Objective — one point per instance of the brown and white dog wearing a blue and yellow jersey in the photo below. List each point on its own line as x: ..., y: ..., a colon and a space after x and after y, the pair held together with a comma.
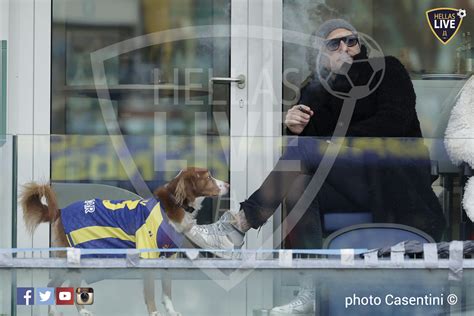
x: 177, y: 198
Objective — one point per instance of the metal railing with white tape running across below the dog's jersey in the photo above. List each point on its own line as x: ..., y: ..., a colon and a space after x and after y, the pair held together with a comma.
x: 249, y: 258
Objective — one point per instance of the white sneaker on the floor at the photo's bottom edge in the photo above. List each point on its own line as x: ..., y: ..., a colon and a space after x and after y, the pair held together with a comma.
x: 303, y: 304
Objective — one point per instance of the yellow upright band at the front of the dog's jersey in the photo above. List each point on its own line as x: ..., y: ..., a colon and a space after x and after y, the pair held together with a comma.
x: 144, y: 238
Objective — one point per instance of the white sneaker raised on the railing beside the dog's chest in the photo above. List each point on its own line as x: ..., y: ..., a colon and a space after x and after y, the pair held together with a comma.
x: 221, y: 235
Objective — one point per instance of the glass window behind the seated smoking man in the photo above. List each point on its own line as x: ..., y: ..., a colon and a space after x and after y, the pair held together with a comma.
x: 401, y: 29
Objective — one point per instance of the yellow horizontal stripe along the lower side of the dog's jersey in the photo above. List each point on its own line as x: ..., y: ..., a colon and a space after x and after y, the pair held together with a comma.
x: 89, y: 233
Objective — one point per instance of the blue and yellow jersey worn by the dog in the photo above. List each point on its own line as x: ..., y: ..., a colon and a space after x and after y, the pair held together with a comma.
x: 119, y: 224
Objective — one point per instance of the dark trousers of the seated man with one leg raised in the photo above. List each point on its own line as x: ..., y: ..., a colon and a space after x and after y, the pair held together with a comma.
x: 345, y: 185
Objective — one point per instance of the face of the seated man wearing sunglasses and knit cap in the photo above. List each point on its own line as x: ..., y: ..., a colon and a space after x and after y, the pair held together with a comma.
x: 343, y: 54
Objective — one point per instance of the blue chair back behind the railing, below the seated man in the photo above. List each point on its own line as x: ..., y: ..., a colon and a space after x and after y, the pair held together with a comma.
x: 370, y: 236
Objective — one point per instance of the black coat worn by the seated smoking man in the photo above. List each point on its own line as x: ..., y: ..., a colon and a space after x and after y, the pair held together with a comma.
x: 400, y: 193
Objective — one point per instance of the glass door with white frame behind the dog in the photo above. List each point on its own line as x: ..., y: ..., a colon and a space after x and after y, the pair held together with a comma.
x: 166, y: 78
